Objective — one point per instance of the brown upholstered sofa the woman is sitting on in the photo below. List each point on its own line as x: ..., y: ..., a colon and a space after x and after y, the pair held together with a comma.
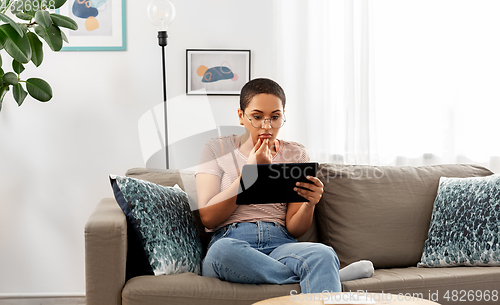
x: 378, y: 213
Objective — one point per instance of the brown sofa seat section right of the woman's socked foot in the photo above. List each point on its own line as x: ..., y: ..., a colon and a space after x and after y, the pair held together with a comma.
x: 442, y: 285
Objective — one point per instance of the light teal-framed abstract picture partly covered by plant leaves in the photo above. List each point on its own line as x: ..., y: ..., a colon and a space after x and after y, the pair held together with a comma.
x: 101, y: 25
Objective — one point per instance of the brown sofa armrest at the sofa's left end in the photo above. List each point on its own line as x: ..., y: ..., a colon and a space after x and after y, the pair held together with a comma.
x: 105, y: 254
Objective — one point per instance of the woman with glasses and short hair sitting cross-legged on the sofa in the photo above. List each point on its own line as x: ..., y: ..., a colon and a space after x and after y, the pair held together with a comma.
x: 256, y: 243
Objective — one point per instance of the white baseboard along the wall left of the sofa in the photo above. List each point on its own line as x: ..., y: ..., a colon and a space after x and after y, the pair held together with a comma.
x: 42, y: 299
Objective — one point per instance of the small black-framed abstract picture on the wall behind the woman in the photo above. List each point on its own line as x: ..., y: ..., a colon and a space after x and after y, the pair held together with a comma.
x: 219, y: 72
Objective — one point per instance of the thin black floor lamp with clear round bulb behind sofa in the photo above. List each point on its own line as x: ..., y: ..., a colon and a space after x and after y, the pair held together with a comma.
x: 161, y: 13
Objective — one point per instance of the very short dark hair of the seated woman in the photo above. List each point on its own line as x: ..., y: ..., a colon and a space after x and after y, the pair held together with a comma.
x: 258, y: 86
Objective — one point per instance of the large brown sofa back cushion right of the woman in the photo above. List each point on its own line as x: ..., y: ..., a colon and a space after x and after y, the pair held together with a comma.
x: 381, y: 213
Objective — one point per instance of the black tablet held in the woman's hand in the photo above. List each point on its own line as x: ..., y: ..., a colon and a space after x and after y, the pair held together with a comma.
x: 273, y: 183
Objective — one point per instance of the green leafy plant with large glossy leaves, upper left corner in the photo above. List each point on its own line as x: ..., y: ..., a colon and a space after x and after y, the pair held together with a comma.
x: 22, y: 41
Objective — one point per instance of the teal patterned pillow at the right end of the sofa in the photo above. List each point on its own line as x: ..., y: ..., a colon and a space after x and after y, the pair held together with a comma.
x: 465, y: 224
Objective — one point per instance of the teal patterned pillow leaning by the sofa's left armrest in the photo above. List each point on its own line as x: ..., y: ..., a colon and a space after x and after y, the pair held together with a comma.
x: 164, y: 222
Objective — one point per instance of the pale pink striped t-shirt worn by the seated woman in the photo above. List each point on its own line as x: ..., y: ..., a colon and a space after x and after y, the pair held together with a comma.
x: 222, y: 157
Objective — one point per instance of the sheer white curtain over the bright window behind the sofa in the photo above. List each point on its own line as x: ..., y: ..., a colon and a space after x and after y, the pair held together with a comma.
x: 392, y: 82
